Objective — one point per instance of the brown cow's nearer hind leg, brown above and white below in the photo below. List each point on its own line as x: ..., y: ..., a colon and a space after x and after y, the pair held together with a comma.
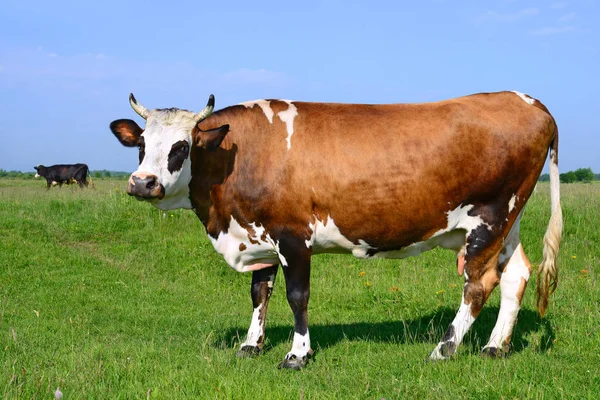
x: 481, y: 277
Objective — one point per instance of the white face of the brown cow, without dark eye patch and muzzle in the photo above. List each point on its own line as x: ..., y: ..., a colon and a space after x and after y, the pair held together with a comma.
x: 164, y: 128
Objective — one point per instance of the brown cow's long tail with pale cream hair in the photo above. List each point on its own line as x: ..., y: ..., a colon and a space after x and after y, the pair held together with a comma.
x: 548, y: 271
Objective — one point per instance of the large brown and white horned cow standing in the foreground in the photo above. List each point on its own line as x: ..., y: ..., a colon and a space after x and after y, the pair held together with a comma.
x: 276, y: 181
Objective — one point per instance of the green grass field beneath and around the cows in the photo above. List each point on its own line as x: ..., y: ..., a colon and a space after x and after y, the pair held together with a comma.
x: 106, y: 297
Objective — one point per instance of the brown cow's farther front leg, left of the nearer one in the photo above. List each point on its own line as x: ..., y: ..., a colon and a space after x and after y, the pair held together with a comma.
x: 262, y: 287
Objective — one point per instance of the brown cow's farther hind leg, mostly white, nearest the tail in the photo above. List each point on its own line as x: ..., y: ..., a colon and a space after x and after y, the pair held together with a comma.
x: 515, y: 269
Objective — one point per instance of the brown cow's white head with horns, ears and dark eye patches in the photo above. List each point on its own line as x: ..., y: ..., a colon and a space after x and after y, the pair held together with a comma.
x: 165, y: 171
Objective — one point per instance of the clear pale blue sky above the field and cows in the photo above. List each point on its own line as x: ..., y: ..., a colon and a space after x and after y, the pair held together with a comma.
x: 67, y: 67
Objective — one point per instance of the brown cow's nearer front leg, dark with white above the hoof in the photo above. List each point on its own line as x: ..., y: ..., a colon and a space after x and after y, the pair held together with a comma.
x: 297, y: 284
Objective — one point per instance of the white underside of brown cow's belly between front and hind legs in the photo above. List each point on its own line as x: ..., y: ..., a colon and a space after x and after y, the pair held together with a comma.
x: 327, y: 238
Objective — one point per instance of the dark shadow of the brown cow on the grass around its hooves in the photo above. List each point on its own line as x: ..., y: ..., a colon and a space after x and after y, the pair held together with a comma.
x: 530, y: 331
